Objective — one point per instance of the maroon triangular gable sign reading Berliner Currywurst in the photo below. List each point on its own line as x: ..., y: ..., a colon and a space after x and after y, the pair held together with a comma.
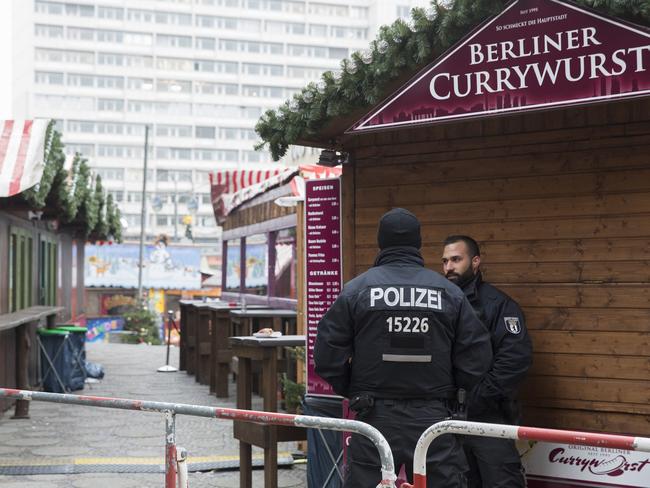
x: 535, y: 54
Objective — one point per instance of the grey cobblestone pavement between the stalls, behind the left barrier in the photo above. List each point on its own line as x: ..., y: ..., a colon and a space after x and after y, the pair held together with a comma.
x: 57, y: 431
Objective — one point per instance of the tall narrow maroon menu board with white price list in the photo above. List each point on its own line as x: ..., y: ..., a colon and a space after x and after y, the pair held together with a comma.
x: 322, y: 264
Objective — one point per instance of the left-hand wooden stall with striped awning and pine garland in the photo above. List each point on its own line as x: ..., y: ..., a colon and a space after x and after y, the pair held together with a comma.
x: 44, y: 223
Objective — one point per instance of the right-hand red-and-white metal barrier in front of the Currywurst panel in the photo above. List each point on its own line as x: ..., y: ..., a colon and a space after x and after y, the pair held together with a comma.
x: 514, y: 432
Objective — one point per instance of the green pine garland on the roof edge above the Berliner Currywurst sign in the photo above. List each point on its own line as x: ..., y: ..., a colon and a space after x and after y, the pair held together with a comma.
x: 400, y: 48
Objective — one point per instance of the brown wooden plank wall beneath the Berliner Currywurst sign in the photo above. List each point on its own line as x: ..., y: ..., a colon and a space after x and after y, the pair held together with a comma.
x: 560, y: 202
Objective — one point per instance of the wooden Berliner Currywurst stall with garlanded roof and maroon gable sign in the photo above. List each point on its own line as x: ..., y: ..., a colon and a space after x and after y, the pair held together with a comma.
x: 557, y: 196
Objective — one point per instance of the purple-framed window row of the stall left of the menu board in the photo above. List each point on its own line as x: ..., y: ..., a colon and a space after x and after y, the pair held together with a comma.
x: 262, y: 265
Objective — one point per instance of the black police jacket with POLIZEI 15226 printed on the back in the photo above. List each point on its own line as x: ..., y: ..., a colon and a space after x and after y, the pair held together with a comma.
x: 401, y: 331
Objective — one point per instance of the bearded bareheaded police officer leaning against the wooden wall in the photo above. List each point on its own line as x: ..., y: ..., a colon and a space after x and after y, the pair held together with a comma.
x: 494, y: 463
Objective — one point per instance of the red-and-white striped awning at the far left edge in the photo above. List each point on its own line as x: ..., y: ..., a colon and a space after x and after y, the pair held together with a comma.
x: 22, y: 154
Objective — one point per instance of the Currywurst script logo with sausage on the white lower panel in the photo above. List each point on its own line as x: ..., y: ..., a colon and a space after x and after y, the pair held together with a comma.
x: 612, y: 464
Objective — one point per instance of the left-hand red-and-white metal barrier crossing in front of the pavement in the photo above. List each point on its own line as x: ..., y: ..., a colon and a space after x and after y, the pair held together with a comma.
x: 175, y: 458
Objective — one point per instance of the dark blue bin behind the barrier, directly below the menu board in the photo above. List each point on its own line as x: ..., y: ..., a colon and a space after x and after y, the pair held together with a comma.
x: 325, y: 447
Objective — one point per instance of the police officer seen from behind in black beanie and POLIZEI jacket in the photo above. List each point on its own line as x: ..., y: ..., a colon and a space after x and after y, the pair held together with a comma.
x: 398, y: 342
